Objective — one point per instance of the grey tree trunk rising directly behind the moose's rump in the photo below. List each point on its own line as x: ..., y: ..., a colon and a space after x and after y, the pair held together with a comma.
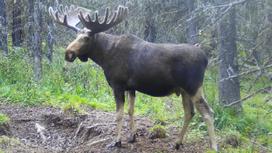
x: 191, y: 29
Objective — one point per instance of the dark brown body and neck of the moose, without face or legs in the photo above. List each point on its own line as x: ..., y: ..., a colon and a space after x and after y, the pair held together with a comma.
x: 130, y: 63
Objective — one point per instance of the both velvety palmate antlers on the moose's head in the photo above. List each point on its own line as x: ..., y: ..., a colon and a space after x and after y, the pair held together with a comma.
x: 72, y: 16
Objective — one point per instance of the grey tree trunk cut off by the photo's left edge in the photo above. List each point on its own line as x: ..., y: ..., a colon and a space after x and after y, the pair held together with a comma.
x: 3, y: 28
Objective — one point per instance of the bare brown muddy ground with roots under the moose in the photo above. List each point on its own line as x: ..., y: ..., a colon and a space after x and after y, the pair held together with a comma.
x: 49, y: 130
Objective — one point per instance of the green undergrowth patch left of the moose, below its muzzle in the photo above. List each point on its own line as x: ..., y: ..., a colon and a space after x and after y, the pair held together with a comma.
x: 57, y: 87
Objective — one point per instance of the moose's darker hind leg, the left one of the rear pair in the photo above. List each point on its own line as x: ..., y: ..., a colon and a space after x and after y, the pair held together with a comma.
x: 188, y: 115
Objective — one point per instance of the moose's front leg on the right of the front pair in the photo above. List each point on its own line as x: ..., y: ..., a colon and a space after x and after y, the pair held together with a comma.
x: 132, y: 128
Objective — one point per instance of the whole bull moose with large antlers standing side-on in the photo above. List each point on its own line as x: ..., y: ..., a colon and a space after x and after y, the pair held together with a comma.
x: 131, y: 64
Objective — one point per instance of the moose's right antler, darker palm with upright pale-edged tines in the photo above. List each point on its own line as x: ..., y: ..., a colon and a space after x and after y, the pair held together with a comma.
x: 95, y: 26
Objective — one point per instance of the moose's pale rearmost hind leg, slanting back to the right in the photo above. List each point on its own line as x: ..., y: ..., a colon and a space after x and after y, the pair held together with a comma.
x: 207, y: 115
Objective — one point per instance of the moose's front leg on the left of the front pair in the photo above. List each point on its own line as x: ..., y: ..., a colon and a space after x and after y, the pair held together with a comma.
x: 119, y: 99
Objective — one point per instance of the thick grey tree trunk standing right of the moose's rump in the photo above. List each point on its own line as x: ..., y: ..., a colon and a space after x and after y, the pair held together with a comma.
x: 229, y: 89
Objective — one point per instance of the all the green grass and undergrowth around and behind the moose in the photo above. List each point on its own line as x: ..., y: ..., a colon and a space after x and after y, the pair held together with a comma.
x: 80, y: 85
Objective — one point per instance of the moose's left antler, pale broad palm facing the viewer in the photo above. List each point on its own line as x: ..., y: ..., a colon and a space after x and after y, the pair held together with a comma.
x: 68, y: 16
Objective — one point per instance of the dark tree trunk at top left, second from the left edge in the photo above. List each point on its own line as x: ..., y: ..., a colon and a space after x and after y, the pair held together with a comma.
x: 17, y: 30
